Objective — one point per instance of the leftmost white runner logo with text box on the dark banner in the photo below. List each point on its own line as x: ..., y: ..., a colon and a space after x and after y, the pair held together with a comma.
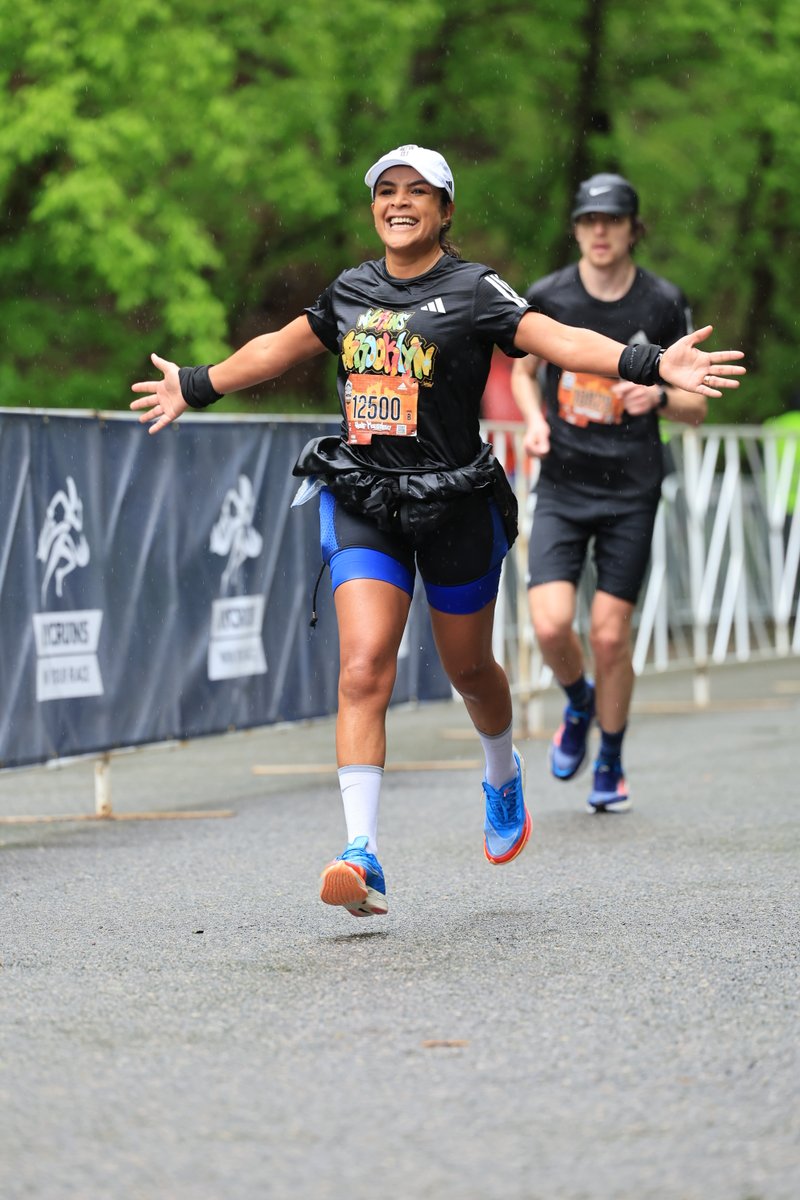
x: 67, y: 643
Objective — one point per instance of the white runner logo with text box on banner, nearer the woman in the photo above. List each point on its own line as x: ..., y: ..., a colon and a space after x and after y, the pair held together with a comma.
x: 236, y: 647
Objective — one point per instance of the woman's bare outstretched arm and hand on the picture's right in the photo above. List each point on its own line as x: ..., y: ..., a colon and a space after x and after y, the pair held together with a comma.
x: 581, y: 350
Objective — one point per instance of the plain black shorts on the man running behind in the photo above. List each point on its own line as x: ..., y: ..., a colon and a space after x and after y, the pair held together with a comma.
x: 560, y: 542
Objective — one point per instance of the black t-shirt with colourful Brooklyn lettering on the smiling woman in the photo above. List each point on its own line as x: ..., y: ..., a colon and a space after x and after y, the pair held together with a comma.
x: 430, y: 338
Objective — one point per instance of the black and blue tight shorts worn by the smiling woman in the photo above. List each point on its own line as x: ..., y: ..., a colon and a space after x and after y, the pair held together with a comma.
x: 460, y: 563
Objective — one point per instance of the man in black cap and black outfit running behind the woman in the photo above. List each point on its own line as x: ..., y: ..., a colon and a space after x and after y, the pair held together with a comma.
x: 601, y: 472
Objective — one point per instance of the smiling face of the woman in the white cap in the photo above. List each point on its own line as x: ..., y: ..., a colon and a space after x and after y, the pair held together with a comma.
x: 408, y: 212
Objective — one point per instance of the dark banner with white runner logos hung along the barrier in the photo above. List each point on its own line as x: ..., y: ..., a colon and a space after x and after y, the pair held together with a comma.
x: 161, y: 587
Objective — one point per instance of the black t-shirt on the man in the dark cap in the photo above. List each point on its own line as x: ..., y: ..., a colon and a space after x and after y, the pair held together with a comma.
x: 597, y: 449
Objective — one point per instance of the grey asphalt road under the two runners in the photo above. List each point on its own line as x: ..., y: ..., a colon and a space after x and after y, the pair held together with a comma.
x: 613, y: 1017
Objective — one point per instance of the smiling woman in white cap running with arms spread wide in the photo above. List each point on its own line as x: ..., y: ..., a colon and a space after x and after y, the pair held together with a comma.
x: 408, y: 485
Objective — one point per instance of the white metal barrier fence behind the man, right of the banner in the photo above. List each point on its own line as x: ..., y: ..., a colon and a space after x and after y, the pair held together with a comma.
x: 724, y: 578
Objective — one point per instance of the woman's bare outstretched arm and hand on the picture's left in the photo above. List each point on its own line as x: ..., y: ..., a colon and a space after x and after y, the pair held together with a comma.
x: 263, y: 358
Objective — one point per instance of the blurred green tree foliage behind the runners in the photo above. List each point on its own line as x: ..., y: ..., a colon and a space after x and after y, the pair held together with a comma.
x: 178, y: 177
